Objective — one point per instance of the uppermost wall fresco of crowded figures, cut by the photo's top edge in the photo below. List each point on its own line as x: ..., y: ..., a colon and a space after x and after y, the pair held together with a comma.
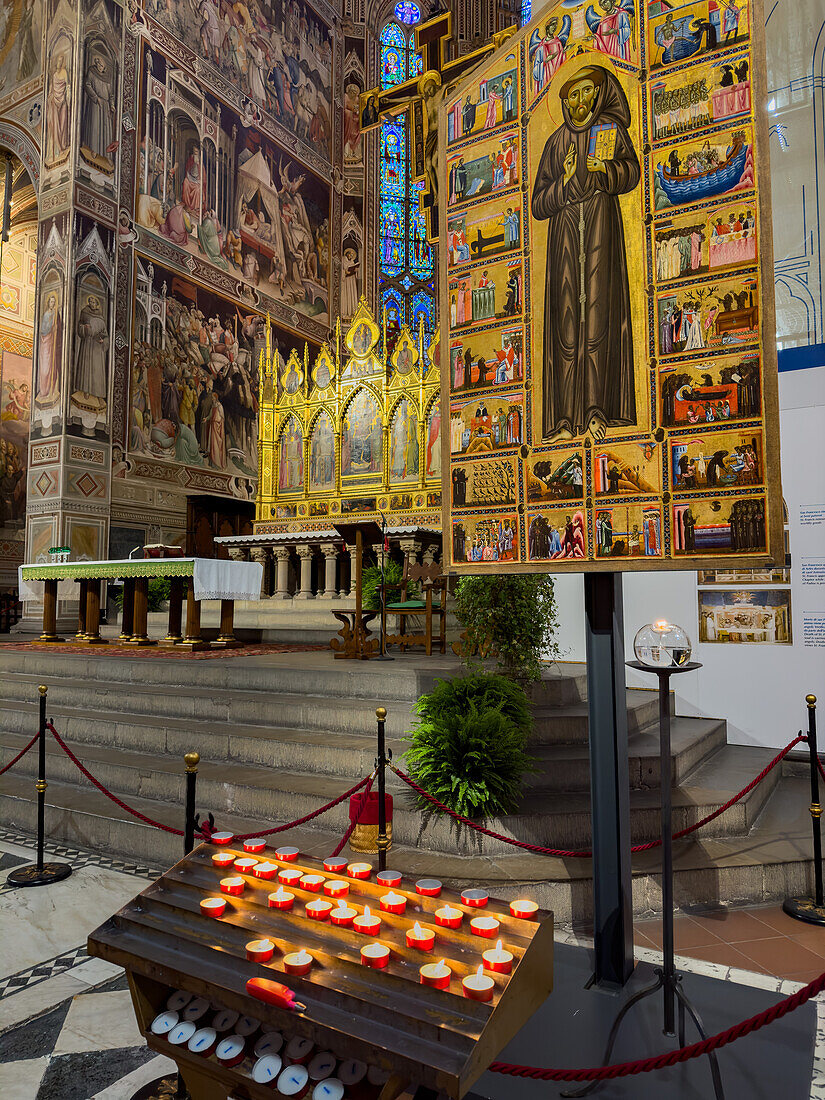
x: 278, y: 52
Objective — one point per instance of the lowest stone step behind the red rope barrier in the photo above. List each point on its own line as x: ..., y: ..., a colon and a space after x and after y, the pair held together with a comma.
x: 774, y: 863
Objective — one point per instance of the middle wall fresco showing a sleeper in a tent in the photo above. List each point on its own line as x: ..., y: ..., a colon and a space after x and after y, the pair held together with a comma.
x: 229, y: 195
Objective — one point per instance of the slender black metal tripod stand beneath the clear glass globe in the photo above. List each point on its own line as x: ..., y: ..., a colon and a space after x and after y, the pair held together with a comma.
x: 668, y: 980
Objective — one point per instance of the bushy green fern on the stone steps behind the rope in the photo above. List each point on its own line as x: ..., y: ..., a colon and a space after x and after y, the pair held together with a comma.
x: 469, y: 746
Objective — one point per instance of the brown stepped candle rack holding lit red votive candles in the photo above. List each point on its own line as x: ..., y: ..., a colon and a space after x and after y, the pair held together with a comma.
x: 422, y: 1037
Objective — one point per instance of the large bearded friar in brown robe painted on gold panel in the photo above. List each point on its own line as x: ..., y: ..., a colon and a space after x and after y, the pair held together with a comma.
x: 589, y: 355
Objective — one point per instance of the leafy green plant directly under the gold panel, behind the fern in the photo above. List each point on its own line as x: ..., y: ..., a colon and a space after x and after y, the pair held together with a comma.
x: 512, y: 617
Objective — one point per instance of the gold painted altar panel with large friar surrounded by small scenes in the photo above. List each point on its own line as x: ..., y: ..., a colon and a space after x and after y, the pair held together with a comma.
x: 607, y: 292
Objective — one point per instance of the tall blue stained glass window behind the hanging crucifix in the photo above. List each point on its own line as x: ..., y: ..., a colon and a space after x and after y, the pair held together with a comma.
x: 405, y: 256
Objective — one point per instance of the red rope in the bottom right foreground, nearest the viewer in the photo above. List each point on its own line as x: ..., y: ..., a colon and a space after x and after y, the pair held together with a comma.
x: 673, y: 1058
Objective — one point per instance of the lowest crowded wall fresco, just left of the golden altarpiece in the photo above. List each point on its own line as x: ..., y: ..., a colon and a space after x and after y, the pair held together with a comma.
x: 194, y: 394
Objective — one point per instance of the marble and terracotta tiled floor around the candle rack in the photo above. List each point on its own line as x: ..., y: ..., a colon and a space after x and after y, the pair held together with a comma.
x: 68, y: 1031
